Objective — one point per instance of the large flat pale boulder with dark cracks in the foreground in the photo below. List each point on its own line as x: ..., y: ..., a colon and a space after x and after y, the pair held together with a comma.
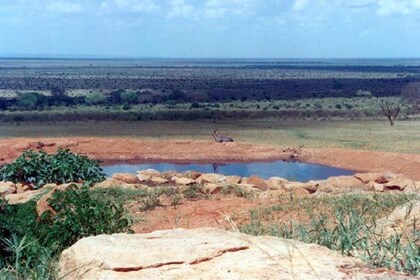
x: 208, y: 253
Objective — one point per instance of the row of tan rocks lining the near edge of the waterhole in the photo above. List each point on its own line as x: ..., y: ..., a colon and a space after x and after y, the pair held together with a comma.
x: 210, y: 183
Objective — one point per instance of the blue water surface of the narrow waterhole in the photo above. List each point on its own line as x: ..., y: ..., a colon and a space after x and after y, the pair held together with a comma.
x: 298, y: 171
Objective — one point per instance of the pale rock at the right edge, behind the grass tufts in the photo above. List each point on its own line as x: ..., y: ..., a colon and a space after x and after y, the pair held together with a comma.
x: 401, y: 220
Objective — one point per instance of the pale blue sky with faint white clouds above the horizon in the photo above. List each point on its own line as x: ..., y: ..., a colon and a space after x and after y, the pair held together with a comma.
x: 211, y: 28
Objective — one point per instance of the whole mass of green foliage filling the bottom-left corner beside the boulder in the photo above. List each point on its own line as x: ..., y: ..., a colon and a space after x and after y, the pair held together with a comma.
x: 30, y: 245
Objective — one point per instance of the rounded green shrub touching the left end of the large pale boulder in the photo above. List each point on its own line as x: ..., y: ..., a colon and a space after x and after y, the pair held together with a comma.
x: 78, y: 215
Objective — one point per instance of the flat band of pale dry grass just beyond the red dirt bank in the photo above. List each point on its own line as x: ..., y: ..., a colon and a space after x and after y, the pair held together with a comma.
x: 370, y: 135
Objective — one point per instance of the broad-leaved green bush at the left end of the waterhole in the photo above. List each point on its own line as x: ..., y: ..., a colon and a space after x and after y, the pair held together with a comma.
x: 39, y: 168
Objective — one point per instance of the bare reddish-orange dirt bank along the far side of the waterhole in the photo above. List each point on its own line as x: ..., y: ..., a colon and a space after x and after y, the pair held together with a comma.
x: 116, y: 149
